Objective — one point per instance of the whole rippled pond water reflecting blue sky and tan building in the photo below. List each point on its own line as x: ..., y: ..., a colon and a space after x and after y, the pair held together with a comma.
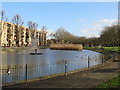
x: 50, y: 62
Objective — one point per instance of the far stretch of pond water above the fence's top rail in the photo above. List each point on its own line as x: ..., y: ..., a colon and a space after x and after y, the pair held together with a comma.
x: 48, y: 57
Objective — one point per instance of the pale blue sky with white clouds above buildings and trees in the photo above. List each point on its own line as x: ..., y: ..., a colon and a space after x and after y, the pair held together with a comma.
x: 79, y: 18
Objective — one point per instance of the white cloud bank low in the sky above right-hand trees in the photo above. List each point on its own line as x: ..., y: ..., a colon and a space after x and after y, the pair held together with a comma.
x: 96, y: 27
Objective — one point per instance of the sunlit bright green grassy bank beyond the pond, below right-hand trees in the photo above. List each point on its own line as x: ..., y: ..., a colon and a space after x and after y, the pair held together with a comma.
x: 104, y: 49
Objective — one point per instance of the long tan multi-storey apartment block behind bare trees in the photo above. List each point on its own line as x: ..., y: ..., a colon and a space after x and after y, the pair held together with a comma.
x: 15, y: 35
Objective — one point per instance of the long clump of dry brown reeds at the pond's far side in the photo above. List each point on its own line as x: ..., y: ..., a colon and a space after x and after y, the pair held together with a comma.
x: 78, y: 47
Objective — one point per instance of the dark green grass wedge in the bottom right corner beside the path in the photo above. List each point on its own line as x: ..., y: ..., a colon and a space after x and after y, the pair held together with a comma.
x: 114, y: 83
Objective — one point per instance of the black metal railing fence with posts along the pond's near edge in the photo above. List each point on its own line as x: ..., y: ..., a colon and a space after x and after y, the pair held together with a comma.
x: 15, y: 74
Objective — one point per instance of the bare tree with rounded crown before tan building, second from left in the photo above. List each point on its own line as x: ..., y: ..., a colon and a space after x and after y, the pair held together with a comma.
x: 17, y: 21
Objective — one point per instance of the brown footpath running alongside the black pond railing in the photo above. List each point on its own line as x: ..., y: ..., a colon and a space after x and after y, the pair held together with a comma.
x: 82, y: 79
